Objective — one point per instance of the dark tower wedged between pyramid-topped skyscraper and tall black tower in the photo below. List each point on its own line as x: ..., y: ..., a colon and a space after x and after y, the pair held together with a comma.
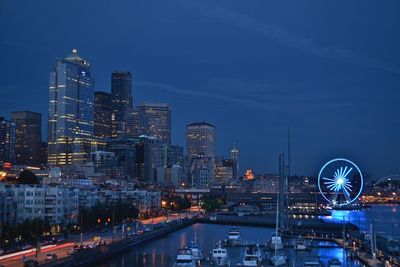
x: 102, y: 114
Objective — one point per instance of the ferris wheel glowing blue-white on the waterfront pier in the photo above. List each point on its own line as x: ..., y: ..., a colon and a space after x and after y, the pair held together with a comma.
x: 340, y: 182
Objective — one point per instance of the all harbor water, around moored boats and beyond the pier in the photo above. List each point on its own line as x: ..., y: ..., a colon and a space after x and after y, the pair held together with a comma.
x: 162, y: 252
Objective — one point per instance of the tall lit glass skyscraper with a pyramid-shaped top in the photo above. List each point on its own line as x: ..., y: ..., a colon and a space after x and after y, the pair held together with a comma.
x: 71, y: 110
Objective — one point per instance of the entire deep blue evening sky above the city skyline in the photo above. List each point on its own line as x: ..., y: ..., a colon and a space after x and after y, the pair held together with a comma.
x: 329, y: 70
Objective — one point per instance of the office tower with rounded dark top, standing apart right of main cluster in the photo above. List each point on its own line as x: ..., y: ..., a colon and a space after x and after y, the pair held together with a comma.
x: 200, y: 139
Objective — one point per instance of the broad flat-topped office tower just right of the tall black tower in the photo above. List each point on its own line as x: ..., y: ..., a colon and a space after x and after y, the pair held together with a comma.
x: 153, y: 120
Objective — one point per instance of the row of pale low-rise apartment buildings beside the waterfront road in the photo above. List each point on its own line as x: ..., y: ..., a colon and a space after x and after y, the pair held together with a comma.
x: 60, y: 204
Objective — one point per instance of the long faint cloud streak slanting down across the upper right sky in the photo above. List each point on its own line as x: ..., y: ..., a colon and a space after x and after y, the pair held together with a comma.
x: 289, y: 39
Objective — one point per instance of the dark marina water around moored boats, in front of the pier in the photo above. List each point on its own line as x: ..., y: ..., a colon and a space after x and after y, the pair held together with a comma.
x: 162, y: 252
